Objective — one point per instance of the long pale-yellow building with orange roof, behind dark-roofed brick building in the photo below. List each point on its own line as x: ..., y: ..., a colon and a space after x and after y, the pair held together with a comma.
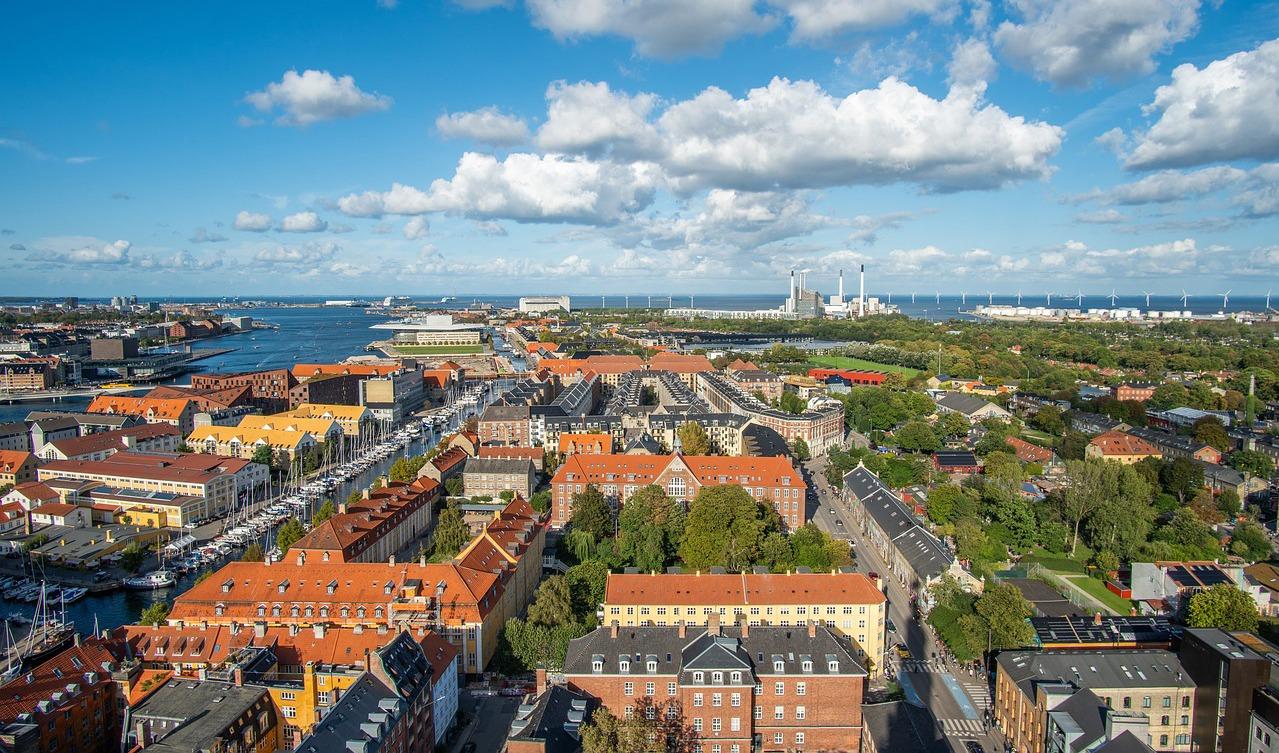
x: 846, y: 603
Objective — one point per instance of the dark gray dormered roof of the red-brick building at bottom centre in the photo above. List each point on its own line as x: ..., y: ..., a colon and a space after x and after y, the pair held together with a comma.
x: 758, y: 653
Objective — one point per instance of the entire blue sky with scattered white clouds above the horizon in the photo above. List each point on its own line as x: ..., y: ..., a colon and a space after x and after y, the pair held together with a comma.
x: 639, y: 146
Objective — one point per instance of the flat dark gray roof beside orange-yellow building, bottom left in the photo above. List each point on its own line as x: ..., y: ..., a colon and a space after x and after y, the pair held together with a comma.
x: 195, y: 713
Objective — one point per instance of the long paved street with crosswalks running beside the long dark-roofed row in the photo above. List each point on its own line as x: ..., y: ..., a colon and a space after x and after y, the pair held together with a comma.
x: 956, y: 699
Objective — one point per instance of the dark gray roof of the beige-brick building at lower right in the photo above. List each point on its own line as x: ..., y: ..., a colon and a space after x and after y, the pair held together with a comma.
x: 1113, y: 668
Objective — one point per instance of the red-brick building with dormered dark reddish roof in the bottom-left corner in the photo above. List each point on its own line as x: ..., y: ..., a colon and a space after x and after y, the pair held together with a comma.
x: 71, y: 701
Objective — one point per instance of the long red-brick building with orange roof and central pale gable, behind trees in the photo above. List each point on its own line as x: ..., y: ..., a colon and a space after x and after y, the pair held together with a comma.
x: 682, y: 477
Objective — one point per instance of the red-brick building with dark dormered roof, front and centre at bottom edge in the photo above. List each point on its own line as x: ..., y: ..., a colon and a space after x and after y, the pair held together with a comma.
x: 741, y: 690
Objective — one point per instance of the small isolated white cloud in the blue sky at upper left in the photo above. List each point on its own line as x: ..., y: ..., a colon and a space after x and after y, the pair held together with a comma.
x: 315, y: 97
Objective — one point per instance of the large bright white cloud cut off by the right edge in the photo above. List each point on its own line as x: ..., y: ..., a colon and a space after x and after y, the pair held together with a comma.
x: 1227, y: 111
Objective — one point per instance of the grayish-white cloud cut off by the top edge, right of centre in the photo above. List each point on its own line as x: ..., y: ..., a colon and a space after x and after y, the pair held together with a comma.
x: 1074, y: 43
